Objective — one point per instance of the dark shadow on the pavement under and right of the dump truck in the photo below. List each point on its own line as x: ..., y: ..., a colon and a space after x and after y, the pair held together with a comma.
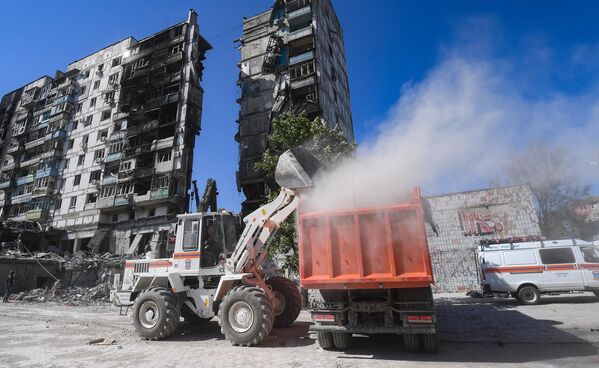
x: 479, y: 330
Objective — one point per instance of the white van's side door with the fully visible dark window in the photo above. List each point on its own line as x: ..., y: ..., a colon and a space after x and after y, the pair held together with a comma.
x: 561, y: 273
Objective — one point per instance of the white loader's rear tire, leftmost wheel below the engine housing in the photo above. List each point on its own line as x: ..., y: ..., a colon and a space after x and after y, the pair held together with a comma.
x: 156, y: 313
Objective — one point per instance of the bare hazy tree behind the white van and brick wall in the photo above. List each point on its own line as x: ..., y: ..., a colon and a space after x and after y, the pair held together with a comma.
x: 554, y: 184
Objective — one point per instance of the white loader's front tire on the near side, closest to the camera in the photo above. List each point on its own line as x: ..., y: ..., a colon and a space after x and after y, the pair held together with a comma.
x: 245, y: 316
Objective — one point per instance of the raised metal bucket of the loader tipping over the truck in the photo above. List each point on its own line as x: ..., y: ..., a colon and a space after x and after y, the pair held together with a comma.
x: 296, y: 169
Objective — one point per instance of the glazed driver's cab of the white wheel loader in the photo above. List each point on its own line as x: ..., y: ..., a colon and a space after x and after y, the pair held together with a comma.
x: 207, y: 239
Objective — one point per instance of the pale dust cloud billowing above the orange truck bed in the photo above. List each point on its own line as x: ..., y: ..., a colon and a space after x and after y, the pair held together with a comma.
x: 454, y: 131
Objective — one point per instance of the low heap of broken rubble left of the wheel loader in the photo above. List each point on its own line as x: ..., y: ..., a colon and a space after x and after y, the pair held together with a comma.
x: 69, y: 296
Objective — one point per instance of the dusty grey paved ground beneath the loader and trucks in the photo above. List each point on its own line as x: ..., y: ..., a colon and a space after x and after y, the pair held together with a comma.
x: 562, y: 332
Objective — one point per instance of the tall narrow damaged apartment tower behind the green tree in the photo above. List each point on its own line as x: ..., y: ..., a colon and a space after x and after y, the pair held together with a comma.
x: 292, y: 60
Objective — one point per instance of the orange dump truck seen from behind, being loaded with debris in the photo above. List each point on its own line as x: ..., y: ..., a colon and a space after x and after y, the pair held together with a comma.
x: 368, y: 271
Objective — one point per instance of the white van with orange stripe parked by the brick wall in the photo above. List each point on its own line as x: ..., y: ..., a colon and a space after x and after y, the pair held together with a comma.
x: 528, y: 269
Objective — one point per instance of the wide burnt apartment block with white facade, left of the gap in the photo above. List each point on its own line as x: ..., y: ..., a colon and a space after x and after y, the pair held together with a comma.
x: 104, y: 150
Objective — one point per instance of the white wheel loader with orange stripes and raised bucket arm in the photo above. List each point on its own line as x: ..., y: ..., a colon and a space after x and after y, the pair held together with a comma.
x: 213, y: 271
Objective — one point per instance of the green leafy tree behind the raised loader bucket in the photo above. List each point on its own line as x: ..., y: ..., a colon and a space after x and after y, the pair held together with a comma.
x: 329, y: 145
